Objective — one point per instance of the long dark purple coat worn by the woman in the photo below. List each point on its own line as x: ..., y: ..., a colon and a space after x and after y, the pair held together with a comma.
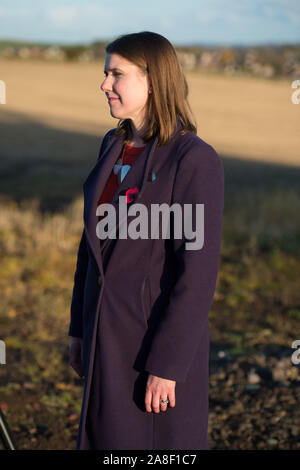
x: 141, y: 306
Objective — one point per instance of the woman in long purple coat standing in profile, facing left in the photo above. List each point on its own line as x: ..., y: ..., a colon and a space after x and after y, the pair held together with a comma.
x: 139, y: 311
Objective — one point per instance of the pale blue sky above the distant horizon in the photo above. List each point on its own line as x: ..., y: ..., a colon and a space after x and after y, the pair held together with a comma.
x: 208, y: 22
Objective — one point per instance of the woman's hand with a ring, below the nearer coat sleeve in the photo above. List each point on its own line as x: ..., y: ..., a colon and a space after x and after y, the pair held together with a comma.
x: 158, y: 388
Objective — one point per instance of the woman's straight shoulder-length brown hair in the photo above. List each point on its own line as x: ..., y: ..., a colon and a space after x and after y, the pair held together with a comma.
x: 155, y: 55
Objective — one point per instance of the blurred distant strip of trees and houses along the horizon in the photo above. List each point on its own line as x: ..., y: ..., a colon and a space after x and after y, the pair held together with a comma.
x: 264, y: 61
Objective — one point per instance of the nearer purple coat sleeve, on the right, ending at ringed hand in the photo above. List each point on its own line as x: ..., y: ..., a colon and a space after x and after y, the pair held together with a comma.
x: 199, y: 180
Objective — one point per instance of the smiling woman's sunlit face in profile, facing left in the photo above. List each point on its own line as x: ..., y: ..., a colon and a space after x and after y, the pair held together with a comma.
x: 125, y: 82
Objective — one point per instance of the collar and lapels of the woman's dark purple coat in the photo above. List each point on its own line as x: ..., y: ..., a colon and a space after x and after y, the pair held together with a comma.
x: 96, y: 180
